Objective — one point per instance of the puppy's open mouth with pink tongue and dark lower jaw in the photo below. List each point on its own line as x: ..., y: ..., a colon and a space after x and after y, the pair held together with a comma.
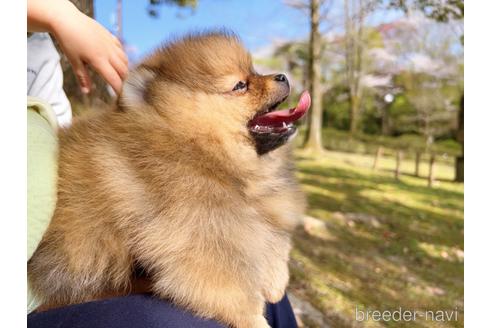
x: 271, y: 128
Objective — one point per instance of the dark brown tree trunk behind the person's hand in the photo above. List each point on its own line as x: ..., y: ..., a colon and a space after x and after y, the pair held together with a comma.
x: 99, y: 91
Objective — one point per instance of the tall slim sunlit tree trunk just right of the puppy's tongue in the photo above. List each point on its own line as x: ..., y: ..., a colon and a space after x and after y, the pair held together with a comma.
x: 313, y: 140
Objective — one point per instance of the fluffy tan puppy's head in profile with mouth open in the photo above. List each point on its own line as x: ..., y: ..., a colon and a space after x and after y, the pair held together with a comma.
x: 206, y: 84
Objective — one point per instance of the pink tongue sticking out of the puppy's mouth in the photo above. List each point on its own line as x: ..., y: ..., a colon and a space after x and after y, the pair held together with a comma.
x: 286, y: 116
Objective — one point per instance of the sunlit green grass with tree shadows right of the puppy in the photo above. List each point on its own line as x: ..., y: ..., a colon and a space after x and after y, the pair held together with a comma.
x: 407, y: 252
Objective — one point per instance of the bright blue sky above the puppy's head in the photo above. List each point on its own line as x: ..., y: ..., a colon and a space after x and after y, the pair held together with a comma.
x: 259, y: 23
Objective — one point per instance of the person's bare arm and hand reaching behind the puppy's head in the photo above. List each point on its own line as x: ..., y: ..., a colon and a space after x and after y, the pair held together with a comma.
x: 82, y: 39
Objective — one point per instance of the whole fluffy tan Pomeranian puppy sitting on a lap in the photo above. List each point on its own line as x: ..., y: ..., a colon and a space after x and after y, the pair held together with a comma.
x: 185, y: 178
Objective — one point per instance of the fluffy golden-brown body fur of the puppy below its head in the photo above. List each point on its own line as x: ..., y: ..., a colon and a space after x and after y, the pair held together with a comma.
x: 200, y: 221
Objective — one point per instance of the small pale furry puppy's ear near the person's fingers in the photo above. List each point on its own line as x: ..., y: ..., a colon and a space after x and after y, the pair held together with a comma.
x: 135, y: 88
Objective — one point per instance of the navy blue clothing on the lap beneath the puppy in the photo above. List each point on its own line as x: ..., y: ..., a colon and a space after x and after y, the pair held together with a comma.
x: 142, y: 311
